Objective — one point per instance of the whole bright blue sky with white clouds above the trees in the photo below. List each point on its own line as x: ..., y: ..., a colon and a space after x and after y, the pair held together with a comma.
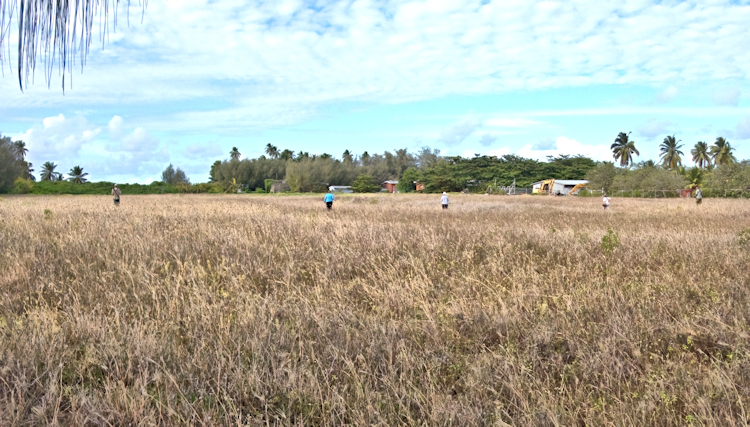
x: 198, y: 77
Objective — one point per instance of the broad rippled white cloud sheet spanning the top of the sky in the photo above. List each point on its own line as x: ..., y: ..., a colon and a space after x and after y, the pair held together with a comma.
x: 250, y: 54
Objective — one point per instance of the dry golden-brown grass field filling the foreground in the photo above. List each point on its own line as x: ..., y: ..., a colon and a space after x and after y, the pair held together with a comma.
x: 261, y: 310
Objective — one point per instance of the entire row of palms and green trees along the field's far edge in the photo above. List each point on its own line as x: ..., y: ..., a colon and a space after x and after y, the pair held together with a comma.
x: 716, y: 166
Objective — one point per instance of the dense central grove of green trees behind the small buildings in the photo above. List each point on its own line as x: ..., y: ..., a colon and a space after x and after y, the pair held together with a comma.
x: 306, y: 172
